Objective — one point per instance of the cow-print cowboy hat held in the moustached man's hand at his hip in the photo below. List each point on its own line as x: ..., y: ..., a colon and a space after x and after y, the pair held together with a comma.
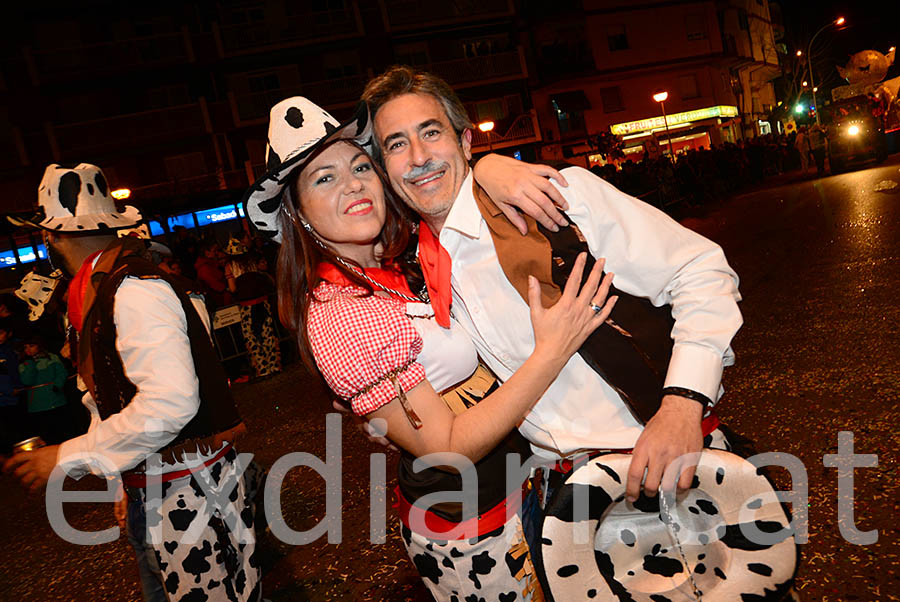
x: 732, y: 533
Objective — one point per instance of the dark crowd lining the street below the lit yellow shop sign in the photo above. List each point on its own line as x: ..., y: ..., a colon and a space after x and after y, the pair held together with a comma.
x: 702, y: 175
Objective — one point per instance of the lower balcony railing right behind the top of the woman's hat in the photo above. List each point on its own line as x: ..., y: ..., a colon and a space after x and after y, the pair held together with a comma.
x: 255, y: 106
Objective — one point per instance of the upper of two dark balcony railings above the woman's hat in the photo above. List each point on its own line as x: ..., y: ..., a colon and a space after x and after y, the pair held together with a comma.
x: 290, y: 31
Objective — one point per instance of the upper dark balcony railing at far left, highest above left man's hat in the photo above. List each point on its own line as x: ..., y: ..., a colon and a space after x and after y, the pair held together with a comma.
x: 148, y: 51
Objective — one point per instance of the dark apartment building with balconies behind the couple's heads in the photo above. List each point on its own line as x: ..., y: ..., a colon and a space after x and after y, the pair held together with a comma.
x: 172, y: 100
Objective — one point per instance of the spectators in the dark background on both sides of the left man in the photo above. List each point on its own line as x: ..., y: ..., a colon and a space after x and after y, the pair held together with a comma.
x: 38, y: 393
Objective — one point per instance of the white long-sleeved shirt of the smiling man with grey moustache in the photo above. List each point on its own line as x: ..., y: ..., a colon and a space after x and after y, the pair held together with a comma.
x: 651, y: 255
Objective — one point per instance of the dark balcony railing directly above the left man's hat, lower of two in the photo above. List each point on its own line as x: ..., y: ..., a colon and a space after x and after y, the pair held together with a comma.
x: 132, y: 130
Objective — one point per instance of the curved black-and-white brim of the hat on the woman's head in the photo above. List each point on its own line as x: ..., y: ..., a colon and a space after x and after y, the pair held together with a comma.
x: 263, y: 199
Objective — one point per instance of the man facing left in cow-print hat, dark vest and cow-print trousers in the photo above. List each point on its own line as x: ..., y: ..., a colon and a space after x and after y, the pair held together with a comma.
x: 162, y: 415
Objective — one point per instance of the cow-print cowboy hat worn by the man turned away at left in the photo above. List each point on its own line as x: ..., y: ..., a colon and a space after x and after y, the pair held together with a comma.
x: 77, y: 200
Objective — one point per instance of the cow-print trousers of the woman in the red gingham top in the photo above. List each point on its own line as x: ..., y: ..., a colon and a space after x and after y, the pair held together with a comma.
x: 482, y: 569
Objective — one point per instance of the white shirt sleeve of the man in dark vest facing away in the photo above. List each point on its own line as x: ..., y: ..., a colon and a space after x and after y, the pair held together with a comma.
x: 153, y: 343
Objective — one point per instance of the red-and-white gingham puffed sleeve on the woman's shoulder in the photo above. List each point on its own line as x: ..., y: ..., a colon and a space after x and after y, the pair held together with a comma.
x: 359, y: 342
